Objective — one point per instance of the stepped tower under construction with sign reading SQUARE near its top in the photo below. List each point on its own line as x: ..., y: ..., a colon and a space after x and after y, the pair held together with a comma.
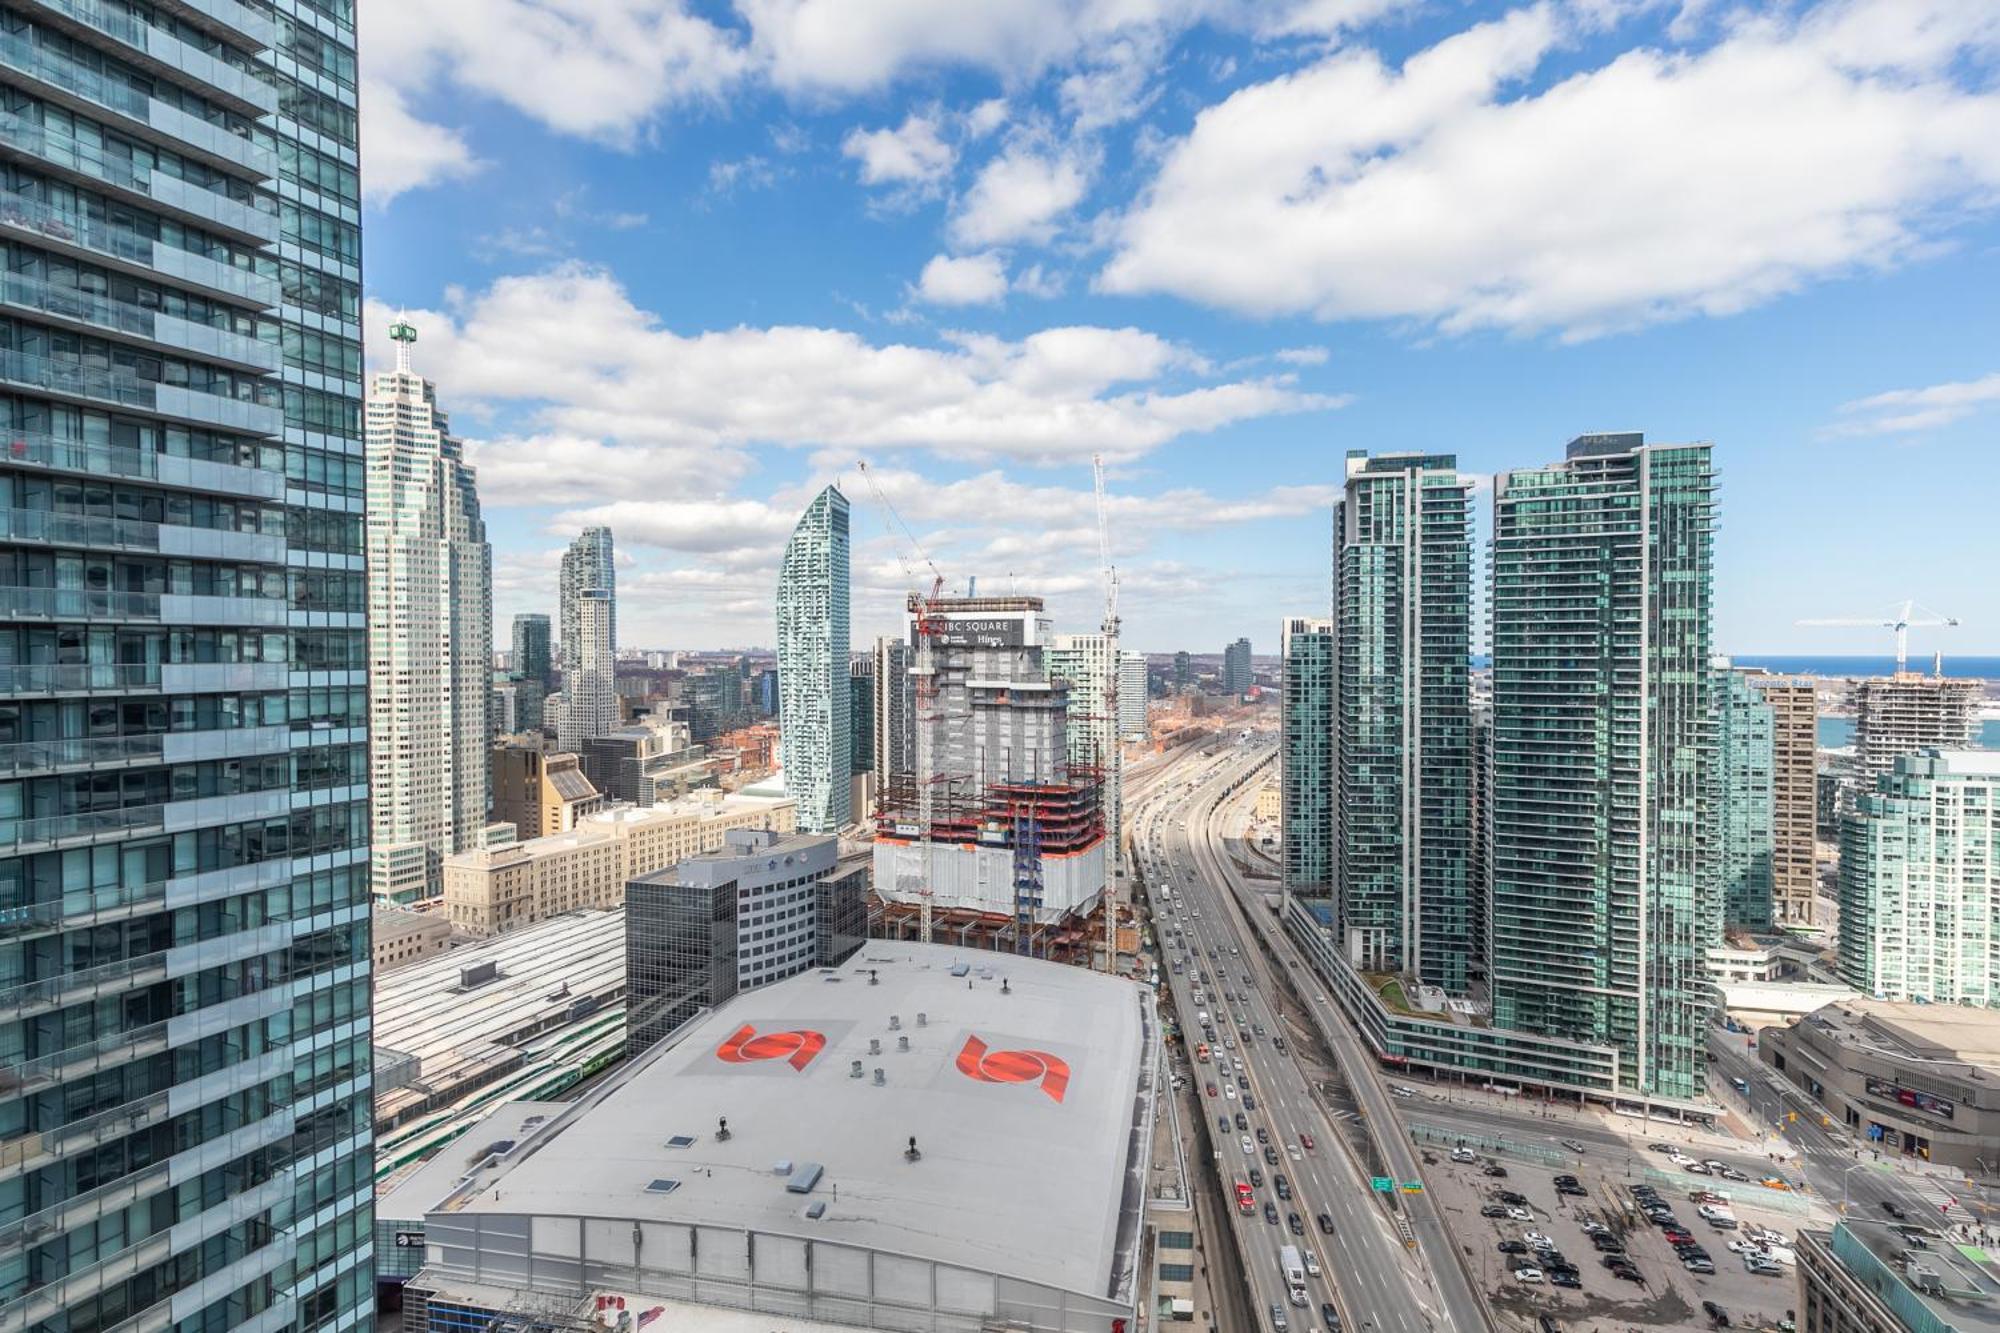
x: 1015, y: 850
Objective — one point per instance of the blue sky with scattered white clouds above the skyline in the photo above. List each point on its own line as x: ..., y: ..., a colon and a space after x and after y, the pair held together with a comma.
x: 677, y: 265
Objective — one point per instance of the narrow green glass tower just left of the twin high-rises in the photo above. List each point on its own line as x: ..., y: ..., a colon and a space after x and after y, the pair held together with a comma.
x: 1307, y: 762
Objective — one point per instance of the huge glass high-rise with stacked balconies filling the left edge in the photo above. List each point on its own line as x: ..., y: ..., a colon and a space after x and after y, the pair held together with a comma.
x: 185, y: 1066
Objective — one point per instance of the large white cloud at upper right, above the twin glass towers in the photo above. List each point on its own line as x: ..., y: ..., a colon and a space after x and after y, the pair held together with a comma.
x: 1653, y: 187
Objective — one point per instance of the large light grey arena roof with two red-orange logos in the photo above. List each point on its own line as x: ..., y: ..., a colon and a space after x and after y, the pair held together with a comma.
x: 1021, y: 1084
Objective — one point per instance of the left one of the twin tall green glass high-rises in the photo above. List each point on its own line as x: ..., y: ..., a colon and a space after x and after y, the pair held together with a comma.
x: 1403, y: 728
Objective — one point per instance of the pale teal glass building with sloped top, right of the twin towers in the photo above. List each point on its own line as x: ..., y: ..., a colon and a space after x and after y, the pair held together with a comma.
x: 1747, y: 812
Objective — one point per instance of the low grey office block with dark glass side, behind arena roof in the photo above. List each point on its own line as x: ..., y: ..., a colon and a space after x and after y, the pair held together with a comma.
x: 733, y: 920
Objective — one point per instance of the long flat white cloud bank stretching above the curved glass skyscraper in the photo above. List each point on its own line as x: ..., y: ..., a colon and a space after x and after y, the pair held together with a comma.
x: 613, y: 373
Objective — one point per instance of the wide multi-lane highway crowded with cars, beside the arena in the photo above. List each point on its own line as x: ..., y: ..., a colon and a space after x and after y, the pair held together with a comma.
x: 1365, y: 1260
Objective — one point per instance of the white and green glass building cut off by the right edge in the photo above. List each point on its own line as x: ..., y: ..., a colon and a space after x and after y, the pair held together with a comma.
x: 1921, y: 882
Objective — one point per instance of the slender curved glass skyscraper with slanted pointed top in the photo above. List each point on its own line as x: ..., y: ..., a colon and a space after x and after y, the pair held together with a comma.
x: 813, y: 665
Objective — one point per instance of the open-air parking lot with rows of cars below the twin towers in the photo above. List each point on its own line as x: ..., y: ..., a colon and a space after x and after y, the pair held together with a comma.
x: 1553, y: 1230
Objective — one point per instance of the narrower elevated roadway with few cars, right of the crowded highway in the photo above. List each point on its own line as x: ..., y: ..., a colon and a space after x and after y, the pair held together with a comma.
x: 1449, y: 1288
